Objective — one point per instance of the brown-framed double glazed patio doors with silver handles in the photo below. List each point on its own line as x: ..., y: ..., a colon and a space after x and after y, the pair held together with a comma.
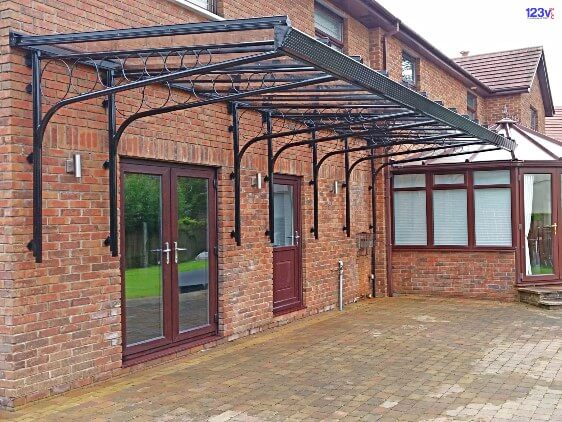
x: 168, y: 261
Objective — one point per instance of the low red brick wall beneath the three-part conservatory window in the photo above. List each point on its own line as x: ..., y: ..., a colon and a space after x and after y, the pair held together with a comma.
x: 489, y: 275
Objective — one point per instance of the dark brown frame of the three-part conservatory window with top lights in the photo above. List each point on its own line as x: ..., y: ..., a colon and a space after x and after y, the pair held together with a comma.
x: 470, y: 187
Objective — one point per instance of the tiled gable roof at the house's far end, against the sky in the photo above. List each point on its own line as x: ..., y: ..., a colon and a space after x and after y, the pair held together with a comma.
x: 511, y: 71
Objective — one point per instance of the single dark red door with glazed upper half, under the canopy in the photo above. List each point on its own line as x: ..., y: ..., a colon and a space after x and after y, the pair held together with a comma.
x: 287, y: 284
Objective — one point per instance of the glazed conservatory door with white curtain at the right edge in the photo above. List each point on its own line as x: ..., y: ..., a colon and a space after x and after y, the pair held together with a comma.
x: 540, y: 222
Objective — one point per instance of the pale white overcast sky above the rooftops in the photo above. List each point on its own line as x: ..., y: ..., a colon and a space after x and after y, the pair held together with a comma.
x: 483, y: 26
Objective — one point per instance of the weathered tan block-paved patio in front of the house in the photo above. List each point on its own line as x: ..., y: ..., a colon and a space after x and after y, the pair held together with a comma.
x: 414, y: 359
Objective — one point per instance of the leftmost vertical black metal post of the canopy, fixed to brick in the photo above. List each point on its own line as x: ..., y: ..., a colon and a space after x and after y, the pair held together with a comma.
x: 36, y: 244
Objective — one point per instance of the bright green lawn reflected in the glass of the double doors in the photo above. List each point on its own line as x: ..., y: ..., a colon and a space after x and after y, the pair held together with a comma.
x: 146, y: 282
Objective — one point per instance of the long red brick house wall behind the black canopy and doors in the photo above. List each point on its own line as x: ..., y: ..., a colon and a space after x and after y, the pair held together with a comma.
x: 60, y: 321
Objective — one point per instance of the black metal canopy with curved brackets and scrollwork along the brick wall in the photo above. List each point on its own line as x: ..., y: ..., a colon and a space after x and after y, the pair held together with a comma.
x: 276, y: 70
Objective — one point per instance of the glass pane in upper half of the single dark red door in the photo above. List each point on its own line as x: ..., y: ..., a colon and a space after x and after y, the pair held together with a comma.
x: 284, y: 234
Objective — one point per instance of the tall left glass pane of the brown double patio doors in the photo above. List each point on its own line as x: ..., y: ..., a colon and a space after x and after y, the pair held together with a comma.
x: 143, y: 257
